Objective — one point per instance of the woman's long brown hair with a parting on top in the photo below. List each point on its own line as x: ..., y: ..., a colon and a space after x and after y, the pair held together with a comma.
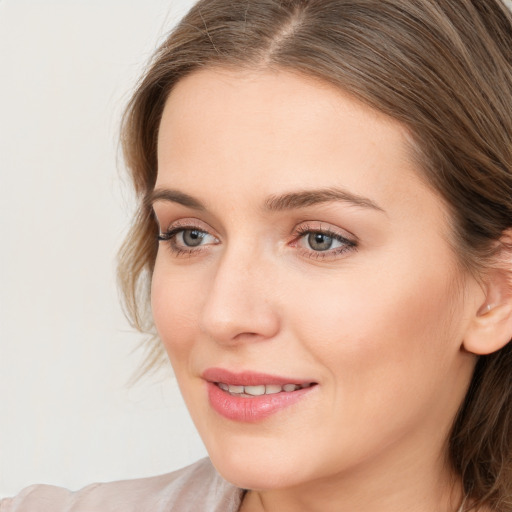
x: 443, y: 68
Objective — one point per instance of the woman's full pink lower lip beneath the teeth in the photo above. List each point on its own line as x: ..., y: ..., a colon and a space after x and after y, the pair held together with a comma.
x: 252, y: 409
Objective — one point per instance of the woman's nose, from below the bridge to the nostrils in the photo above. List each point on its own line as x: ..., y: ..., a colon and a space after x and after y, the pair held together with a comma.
x: 238, y: 305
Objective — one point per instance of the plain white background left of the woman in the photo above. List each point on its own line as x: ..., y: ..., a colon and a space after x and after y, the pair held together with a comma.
x: 67, y: 415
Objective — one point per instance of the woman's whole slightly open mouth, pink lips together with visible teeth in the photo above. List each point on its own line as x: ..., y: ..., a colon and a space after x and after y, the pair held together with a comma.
x: 249, y: 396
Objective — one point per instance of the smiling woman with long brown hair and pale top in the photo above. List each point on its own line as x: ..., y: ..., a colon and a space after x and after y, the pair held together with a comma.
x: 325, y: 210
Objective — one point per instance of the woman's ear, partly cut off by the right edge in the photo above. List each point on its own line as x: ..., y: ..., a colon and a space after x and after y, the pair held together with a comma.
x: 491, y: 325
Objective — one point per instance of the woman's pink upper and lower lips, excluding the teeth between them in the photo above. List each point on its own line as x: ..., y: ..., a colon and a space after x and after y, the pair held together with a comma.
x: 251, y: 409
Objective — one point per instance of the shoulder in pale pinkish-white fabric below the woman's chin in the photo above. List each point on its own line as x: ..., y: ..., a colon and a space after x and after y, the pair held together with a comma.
x: 196, y: 487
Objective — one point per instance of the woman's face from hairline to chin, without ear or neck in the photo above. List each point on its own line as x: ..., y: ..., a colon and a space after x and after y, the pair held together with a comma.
x: 303, y: 257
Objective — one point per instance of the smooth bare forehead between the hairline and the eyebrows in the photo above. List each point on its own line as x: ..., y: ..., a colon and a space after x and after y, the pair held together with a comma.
x: 239, y: 133
